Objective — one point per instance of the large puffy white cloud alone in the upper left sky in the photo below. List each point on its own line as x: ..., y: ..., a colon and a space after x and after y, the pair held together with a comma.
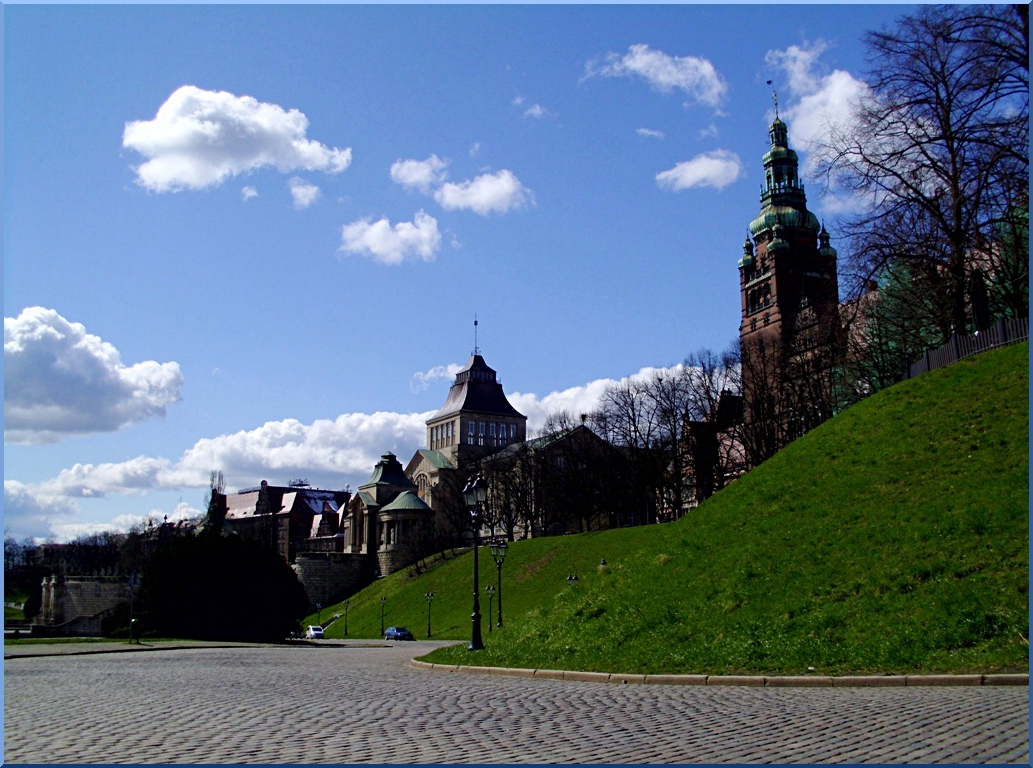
x: 199, y: 139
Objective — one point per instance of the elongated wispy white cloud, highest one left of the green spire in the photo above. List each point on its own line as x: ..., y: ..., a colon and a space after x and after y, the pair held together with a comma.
x: 697, y: 78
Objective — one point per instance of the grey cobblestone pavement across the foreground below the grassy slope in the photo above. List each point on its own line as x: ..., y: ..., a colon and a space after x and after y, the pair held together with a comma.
x: 341, y: 703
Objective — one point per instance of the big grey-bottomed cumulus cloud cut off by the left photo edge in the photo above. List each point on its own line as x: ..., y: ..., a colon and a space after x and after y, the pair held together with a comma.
x: 60, y: 381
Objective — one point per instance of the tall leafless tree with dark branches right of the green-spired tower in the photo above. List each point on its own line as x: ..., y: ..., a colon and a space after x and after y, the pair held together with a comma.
x: 938, y: 148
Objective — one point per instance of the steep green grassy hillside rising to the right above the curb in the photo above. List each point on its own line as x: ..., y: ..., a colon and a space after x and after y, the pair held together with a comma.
x: 893, y: 539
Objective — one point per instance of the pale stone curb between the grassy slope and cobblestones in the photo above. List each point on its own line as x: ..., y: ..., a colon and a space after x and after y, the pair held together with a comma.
x: 777, y: 682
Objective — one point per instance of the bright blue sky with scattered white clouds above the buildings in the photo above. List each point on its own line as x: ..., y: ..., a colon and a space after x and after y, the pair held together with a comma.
x: 255, y: 239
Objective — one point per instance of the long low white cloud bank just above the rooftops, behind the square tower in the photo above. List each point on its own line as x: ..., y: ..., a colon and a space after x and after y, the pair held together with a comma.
x: 335, y: 451
